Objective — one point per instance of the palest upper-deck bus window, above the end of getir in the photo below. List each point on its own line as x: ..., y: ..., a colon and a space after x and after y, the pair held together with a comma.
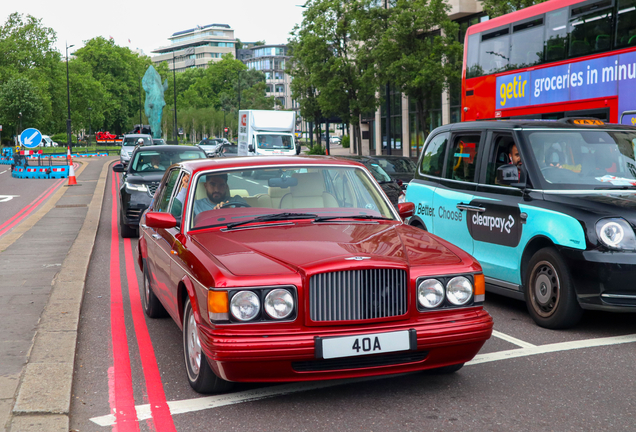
x: 527, y: 40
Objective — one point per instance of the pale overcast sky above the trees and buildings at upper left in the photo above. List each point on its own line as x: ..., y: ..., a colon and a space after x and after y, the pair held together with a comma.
x: 149, y: 24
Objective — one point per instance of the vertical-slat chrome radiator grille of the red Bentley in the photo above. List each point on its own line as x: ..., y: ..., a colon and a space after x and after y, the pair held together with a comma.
x: 357, y: 295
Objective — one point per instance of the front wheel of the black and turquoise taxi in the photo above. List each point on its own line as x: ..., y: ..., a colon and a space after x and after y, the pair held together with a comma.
x: 550, y: 296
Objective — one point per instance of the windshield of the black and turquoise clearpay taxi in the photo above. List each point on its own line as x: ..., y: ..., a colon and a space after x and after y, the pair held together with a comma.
x: 585, y: 158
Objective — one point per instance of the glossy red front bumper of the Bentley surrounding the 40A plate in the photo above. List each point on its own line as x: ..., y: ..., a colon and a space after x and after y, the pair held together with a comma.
x: 292, y: 357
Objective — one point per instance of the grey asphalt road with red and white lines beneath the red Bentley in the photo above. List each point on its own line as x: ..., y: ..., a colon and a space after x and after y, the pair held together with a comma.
x: 525, y: 379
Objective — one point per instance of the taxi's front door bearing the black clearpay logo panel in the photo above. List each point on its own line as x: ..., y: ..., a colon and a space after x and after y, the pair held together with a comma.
x: 497, y: 230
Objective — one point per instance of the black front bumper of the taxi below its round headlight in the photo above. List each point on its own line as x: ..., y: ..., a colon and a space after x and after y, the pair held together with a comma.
x: 603, y: 280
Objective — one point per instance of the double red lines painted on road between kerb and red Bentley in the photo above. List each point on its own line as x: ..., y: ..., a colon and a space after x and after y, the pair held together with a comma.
x: 122, y: 401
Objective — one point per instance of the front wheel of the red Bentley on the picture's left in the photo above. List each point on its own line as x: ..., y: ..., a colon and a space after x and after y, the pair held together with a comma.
x: 200, y: 375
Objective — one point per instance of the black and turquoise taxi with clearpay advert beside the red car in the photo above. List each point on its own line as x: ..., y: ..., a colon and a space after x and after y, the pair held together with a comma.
x: 547, y: 207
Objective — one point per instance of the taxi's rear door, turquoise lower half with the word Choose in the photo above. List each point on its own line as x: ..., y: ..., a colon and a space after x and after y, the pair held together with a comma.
x: 452, y: 199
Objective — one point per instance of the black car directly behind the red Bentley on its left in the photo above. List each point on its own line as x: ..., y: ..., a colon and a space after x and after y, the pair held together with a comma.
x: 141, y: 178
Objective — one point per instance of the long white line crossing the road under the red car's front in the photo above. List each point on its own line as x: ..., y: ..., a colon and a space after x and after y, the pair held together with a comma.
x: 198, y: 404
